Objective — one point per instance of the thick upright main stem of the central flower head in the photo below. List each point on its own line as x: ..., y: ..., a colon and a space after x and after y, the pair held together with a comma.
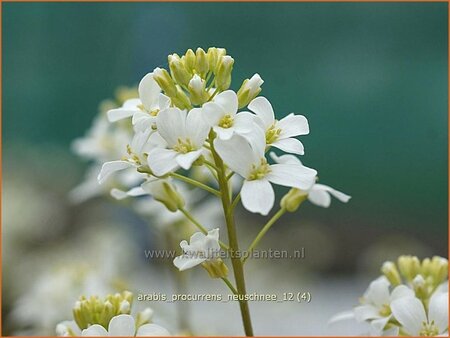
x: 233, y: 241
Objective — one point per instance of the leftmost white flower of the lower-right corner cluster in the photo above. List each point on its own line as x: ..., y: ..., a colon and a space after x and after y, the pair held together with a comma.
x: 376, y: 303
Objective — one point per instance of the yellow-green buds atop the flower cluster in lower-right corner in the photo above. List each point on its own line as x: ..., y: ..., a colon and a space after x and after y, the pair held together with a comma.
x: 424, y: 276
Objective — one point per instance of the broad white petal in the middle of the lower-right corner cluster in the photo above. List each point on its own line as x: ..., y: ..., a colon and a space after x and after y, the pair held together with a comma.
x: 410, y: 313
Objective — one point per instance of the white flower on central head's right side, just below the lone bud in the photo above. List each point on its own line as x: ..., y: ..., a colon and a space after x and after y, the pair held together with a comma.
x: 280, y: 134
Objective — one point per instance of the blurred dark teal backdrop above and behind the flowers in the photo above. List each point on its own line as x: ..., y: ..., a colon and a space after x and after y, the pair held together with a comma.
x: 370, y: 77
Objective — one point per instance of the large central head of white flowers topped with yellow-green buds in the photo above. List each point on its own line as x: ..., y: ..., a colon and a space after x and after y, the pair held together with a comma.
x: 188, y: 117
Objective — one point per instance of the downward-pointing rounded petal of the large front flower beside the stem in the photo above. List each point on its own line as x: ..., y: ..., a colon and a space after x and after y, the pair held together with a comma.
x: 258, y: 196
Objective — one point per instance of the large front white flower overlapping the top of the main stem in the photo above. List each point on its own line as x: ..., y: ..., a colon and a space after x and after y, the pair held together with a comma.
x: 248, y: 161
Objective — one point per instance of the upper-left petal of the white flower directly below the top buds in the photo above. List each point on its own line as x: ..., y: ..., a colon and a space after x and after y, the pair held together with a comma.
x: 171, y: 124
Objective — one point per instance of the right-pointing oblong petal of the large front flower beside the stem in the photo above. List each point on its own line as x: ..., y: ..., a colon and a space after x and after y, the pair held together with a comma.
x: 292, y: 175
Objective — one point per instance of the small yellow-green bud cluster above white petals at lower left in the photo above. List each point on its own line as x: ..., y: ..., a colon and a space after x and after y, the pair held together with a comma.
x: 93, y: 310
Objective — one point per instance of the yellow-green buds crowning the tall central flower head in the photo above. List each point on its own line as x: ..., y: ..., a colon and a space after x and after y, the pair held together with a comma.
x: 195, y: 77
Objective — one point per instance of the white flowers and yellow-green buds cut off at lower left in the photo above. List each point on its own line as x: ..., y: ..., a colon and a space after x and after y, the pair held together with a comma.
x: 109, y: 317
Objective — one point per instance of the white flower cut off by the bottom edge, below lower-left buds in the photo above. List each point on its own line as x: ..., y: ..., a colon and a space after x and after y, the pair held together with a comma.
x: 124, y: 326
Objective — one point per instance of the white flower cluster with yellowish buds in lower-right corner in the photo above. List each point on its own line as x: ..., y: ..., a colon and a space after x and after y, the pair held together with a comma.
x: 409, y: 299
